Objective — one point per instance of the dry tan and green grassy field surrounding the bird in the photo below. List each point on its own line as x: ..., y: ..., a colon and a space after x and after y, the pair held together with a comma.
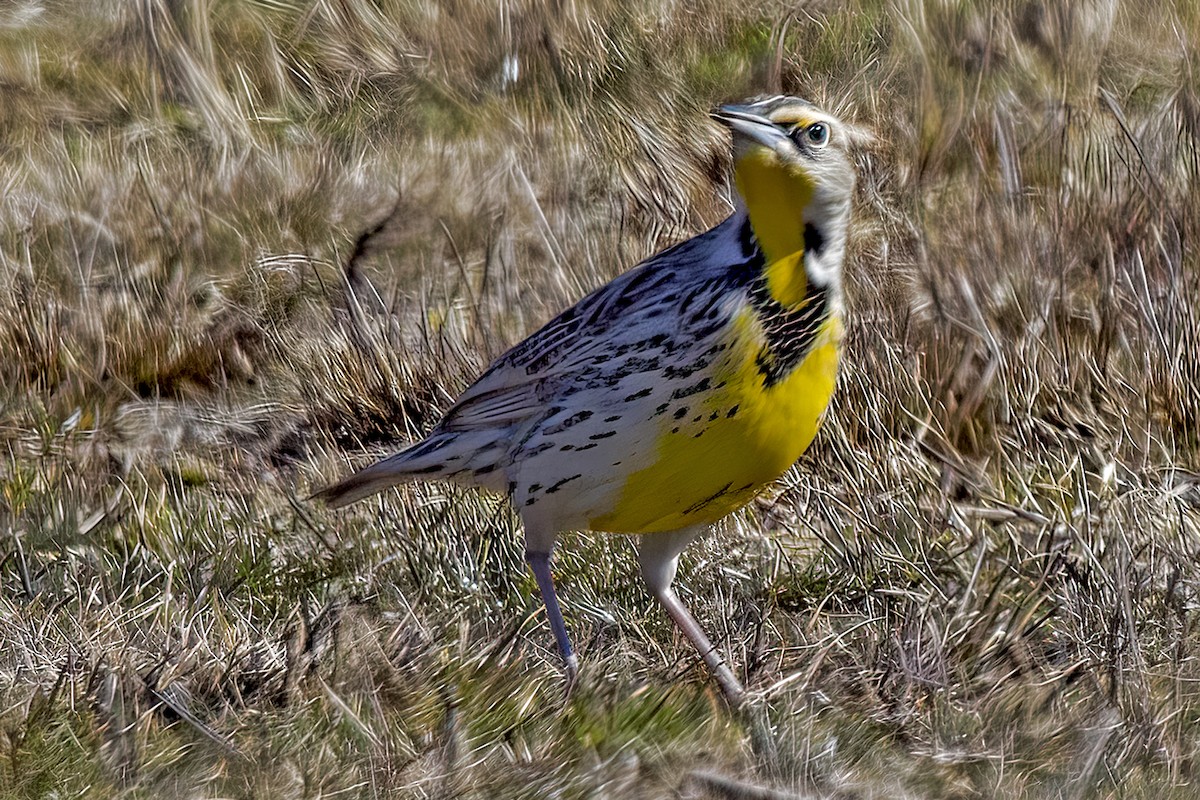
x: 245, y: 245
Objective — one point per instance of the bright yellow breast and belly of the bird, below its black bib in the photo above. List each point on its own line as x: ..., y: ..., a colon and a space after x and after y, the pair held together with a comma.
x: 735, y: 440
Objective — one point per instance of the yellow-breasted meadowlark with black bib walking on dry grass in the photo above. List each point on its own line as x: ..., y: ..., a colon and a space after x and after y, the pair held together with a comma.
x: 668, y: 399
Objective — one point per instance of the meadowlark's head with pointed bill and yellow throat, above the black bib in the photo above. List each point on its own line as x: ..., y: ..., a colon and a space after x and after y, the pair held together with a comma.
x: 794, y: 172
